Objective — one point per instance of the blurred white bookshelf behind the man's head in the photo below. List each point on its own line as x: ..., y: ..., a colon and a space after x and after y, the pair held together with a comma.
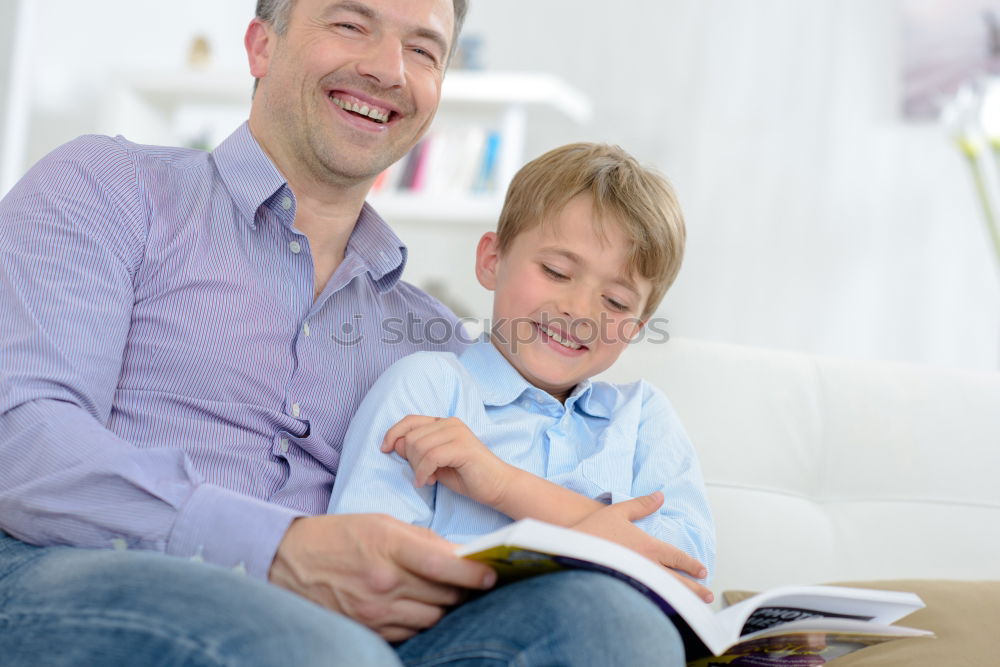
x: 201, y: 108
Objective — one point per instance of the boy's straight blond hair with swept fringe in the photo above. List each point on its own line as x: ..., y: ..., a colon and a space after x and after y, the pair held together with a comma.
x: 623, y: 192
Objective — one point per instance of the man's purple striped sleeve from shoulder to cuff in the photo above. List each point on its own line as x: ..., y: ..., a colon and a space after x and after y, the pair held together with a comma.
x: 72, y: 236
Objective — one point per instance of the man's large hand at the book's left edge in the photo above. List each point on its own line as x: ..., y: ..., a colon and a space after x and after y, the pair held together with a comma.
x: 394, y: 578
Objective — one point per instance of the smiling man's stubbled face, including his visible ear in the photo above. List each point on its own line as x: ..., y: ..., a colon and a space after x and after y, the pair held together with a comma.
x: 351, y: 86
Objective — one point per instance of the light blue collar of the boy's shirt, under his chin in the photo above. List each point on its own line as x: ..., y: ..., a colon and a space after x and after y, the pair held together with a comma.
x: 500, y: 384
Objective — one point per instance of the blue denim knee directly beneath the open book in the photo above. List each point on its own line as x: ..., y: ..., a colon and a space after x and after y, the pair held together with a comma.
x: 578, y: 619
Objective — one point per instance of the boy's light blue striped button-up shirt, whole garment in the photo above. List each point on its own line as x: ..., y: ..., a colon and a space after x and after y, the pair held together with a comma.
x: 608, y: 442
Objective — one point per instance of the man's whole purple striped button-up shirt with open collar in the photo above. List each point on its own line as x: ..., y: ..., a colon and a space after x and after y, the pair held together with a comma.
x: 167, y: 381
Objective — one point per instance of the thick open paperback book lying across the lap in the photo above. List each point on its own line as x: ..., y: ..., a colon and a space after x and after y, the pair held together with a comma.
x: 827, y: 621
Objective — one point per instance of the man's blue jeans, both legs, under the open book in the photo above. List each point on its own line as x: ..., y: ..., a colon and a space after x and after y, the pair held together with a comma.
x: 65, y: 606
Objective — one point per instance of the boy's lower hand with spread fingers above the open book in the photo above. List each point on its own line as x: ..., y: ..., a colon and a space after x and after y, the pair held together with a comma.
x: 614, y: 522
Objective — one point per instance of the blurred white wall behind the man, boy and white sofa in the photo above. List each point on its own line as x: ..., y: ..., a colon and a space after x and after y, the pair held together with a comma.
x: 818, y: 219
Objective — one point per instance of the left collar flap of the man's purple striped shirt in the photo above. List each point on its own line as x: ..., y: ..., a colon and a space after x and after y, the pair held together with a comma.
x: 247, y: 172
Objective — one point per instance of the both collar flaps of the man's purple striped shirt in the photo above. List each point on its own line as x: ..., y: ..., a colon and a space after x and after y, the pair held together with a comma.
x: 252, y: 180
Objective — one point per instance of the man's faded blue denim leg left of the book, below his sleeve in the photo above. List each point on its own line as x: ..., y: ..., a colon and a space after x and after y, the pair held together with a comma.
x: 62, y: 606
